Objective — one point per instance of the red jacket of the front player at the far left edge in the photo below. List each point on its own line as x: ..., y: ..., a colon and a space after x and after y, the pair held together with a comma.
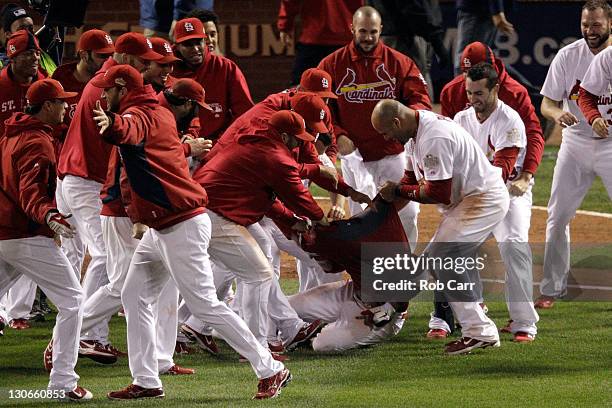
x: 27, y: 177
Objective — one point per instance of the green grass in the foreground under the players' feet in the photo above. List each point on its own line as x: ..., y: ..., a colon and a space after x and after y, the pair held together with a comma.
x: 567, y: 366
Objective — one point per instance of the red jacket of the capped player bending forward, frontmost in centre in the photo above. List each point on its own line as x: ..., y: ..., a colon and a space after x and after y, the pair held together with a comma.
x: 244, y: 178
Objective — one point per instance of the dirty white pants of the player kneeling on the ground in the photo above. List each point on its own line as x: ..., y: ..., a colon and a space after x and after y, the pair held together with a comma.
x: 335, y: 303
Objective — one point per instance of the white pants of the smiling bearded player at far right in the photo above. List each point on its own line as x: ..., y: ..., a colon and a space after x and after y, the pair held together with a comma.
x: 578, y: 162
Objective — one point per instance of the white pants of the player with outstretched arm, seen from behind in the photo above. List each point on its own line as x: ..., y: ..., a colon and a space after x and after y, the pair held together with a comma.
x: 180, y: 252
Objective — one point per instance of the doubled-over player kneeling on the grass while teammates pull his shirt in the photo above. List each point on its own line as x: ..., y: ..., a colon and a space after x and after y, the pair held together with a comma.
x: 351, y: 322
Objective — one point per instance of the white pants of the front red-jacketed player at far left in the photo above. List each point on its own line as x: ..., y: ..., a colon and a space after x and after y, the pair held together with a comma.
x: 41, y: 260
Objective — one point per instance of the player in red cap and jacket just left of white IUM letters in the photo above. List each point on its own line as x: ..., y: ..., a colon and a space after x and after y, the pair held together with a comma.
x: 227, y: 91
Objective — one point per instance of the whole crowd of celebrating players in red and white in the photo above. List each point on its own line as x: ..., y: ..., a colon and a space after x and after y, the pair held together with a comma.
x: 151, y: 157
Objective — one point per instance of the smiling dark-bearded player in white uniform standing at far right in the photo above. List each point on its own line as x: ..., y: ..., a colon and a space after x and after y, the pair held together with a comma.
x: 584, y: 151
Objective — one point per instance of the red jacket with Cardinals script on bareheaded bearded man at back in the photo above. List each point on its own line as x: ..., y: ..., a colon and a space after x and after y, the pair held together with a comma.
x: 361, y: 80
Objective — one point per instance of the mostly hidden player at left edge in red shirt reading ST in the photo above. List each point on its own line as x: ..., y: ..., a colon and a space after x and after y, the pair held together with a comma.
x: 23, y: 69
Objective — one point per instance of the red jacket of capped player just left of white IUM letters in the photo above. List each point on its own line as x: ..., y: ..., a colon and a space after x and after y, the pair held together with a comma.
x: 227, y: 92
